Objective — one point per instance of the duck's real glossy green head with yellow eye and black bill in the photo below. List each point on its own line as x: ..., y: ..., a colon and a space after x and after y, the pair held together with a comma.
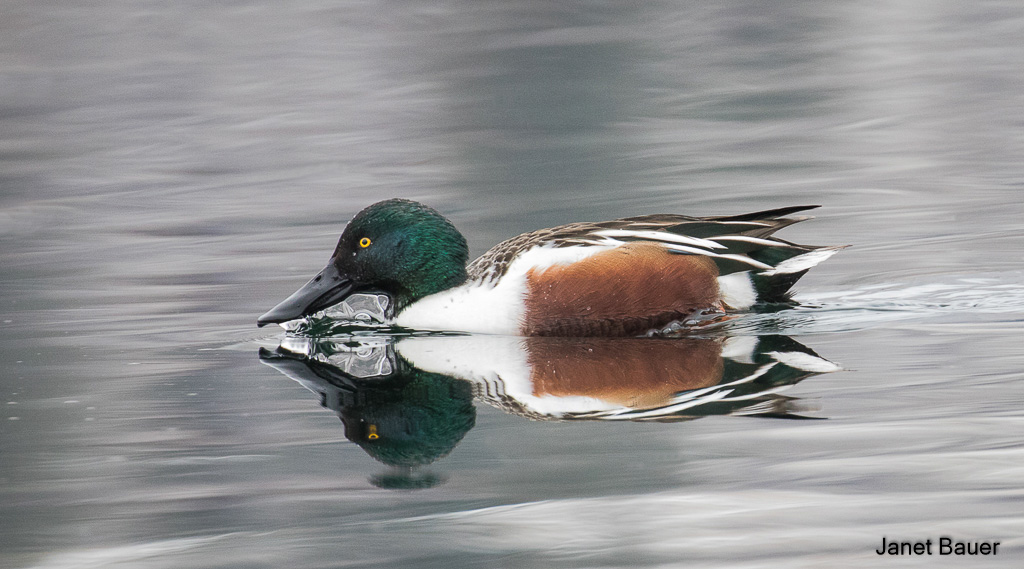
x: 398, y: 247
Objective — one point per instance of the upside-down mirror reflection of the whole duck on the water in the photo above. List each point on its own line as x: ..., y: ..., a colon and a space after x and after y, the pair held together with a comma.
x: 409, y: 401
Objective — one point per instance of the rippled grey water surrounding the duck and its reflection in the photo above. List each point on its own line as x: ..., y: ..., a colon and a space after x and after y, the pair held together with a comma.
x: 168, y: 172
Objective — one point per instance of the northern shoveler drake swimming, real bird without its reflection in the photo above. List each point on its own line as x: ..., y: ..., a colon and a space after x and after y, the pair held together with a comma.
x: 620, y: 278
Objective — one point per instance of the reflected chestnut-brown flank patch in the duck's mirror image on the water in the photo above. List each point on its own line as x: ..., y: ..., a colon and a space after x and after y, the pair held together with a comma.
x: 638, y: 374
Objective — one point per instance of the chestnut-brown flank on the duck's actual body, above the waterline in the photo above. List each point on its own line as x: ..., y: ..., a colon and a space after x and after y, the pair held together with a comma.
x: 623, y: 292
